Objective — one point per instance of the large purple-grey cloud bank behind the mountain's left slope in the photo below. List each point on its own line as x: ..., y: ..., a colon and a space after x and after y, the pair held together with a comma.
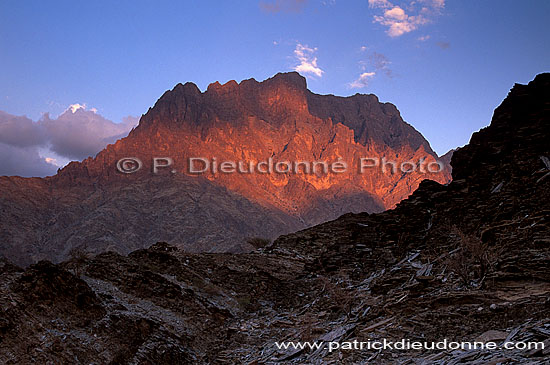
x: 31, y: 148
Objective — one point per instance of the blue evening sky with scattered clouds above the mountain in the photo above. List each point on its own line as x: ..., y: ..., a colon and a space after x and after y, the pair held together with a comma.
x: 445, y: 64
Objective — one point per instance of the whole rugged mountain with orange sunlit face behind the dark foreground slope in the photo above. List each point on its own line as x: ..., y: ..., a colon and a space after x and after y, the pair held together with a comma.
x: 275, y: 121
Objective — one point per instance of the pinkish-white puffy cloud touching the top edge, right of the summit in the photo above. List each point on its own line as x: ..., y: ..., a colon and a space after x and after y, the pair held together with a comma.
x: 396, y: 19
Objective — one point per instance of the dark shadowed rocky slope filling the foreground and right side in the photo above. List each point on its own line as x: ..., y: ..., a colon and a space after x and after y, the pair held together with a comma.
x: 463, y: 261
